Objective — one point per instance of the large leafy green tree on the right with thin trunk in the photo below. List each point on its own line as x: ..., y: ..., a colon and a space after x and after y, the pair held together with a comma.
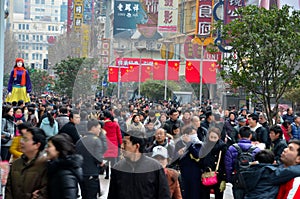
x: 265, y: 53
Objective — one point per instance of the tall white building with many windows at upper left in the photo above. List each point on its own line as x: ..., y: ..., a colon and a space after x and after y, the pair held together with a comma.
x: 36, y: 24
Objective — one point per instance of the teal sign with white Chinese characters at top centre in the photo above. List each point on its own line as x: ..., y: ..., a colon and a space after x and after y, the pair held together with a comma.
x: 127, y: 14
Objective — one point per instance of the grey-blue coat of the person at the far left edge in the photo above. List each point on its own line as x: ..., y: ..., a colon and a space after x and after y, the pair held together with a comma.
x: 8, y: 129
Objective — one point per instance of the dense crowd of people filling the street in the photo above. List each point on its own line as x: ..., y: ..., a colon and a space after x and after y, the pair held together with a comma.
x: 146, y: 149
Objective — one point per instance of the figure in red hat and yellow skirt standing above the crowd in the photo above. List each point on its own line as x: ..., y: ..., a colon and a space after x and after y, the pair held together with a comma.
x: 19, y: 85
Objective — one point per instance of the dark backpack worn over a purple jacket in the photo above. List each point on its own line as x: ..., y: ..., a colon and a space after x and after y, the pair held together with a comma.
x: 242, y: 164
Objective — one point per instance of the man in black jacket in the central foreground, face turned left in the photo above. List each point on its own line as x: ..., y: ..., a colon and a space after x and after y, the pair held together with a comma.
x: 137, y: 176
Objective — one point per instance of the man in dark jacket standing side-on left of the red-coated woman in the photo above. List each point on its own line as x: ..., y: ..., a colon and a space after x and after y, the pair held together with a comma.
x: 91, y: 149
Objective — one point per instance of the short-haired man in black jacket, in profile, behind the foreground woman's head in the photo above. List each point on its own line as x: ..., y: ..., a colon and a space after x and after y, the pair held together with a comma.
x: 70, y: 127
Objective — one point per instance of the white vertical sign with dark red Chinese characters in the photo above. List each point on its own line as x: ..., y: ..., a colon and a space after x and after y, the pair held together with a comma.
x: 168, y: 15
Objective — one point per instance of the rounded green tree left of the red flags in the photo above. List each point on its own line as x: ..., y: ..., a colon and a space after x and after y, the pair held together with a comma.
x: 75, y: 77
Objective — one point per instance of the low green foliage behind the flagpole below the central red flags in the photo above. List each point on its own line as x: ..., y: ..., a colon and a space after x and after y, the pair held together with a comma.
x: 154, y: 89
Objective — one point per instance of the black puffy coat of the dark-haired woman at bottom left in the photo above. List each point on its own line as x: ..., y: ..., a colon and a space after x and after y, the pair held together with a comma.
x: 64, y: 174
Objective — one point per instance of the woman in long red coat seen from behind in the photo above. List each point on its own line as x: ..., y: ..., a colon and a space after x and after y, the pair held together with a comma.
x: 114, y: 140
